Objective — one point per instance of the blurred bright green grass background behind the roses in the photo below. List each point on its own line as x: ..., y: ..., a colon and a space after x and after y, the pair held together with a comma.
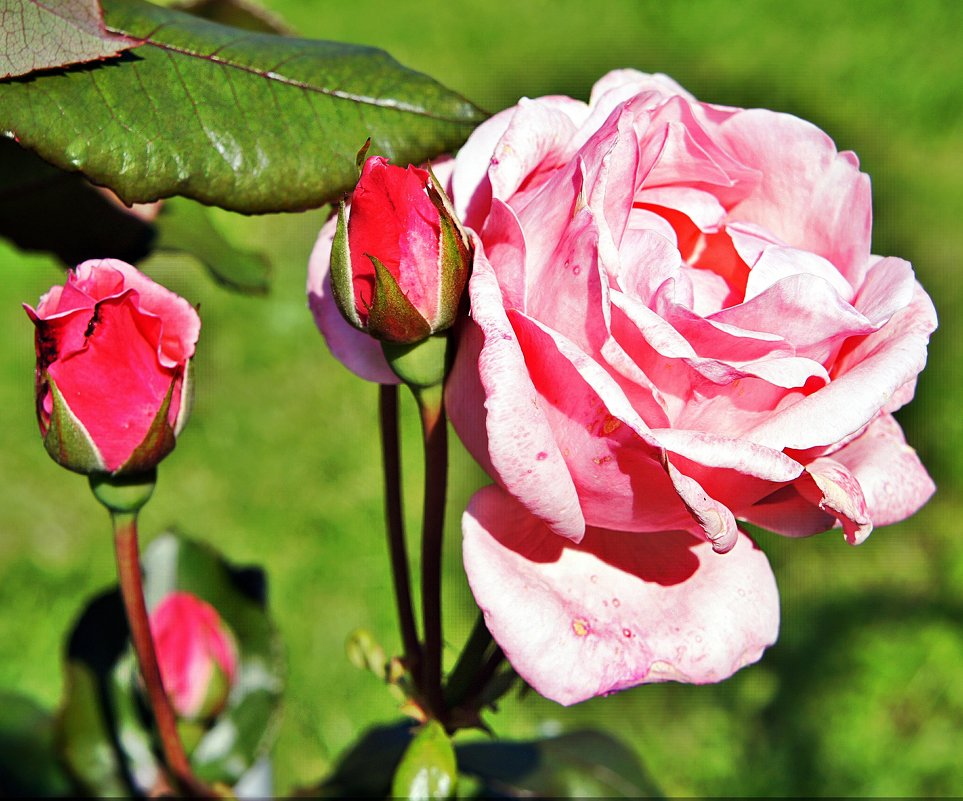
x: 862, y: 695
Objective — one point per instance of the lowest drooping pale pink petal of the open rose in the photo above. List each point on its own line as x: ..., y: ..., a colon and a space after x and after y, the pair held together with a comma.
x: 619, y: 609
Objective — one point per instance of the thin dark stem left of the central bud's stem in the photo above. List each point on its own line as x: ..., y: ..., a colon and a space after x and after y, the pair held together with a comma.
x: 390, y: 449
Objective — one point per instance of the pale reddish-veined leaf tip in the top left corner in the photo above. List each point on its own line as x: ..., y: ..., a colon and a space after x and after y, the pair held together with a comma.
x: 36, y: 35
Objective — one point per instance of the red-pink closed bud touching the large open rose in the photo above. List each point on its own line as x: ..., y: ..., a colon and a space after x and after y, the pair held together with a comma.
x: 400, y: 263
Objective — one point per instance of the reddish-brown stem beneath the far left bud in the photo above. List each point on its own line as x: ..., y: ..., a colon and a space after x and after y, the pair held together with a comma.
x: 132, y: 592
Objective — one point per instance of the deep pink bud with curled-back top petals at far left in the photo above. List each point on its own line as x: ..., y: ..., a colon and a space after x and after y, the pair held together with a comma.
x: 113, y: 380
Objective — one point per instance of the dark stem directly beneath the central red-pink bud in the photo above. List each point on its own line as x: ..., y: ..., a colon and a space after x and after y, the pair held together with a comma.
x: 434, y: 431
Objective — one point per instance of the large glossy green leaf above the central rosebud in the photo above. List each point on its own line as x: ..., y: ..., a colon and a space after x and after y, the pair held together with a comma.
x: 253, y: 122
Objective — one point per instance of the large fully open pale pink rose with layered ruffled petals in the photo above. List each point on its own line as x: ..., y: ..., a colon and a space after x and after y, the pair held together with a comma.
x: 676, y: 323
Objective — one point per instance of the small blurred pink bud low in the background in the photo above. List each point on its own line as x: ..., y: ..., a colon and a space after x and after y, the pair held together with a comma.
x: 196, y: 653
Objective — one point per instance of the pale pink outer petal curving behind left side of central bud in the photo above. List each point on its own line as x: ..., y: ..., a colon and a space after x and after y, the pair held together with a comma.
x: 356, y: 350
